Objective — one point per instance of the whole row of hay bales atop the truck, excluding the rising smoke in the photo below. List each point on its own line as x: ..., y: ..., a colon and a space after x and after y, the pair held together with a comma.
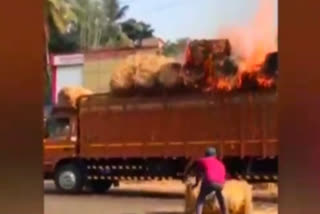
x: 209, y: 66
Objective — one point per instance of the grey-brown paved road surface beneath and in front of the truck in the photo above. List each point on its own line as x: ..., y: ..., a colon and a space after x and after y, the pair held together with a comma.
x: 128, y: 199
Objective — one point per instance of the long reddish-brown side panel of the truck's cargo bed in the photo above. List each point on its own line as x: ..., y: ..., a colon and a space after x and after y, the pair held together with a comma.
x: 239, y: 126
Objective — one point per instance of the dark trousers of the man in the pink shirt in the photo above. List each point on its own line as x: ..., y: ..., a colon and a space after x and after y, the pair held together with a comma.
x: 206, y: 189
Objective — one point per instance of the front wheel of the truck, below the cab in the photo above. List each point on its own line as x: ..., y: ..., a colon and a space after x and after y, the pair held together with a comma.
x: 69, y: 179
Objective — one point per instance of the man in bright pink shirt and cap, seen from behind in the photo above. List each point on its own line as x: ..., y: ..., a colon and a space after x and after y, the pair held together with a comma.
x: 213, y: 174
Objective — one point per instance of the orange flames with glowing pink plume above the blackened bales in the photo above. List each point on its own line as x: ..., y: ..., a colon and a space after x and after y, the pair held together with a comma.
x: 251, y: 44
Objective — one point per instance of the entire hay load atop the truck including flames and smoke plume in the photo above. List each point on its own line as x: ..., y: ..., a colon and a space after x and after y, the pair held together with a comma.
x: 245, y: 60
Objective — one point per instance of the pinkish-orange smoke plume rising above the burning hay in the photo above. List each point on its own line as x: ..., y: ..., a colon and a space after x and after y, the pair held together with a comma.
x: 251, y: 42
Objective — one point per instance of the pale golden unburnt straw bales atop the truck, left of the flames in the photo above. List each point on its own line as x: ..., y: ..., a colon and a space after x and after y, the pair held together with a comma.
x: 145, y: 72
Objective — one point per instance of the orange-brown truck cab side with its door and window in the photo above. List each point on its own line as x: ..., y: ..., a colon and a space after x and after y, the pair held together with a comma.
x: 60, y: 141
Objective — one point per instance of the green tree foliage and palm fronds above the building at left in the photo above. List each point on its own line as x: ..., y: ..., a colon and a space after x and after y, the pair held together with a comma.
x: 93, y: 24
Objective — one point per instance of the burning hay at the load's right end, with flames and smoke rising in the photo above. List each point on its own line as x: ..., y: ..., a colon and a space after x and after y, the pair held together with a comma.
x: 254, y: 49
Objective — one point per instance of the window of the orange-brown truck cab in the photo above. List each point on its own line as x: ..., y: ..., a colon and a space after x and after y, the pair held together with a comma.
x: 58, y: 128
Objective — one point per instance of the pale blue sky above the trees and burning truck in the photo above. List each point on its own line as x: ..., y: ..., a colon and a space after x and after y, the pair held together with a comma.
x: 196, y: 19
